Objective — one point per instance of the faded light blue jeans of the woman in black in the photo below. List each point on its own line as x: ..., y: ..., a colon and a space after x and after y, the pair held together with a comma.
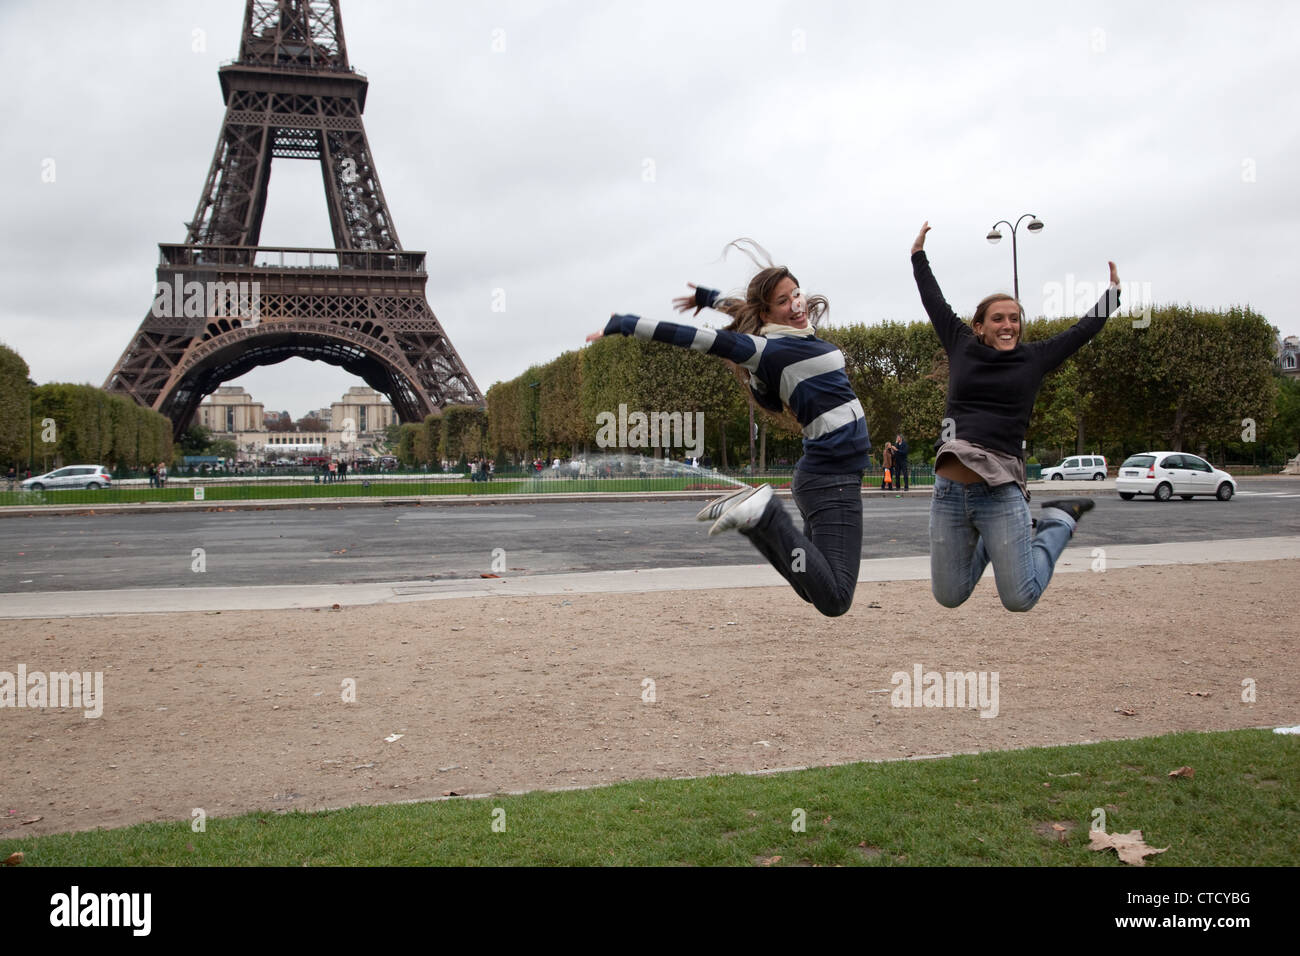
x: 972, y: 525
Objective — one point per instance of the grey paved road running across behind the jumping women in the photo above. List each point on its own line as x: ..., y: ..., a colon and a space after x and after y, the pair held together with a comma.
x: 362, y: 546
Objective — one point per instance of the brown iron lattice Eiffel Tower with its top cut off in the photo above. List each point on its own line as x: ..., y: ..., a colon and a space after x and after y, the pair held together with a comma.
x: 227, y: 305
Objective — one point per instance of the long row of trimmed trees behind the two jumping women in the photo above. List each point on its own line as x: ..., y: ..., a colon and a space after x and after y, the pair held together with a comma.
x: 1188, y: 379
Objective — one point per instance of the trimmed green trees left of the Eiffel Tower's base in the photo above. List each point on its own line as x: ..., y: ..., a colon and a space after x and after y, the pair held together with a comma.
x: 60, y: 425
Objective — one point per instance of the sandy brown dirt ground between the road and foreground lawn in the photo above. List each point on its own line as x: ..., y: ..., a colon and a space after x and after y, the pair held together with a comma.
x: 237, y: 712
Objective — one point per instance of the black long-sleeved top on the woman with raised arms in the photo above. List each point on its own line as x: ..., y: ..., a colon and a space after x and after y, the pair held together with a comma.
x: 991, y: 393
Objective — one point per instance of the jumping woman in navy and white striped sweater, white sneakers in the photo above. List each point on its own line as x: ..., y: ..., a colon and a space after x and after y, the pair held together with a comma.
x: 773, y: 343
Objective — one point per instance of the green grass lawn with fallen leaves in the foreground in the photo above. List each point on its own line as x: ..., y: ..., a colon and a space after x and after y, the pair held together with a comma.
x: 1240, y: 810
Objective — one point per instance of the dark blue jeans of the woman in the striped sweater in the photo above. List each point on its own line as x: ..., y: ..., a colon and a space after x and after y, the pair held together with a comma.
x: 822, y: 563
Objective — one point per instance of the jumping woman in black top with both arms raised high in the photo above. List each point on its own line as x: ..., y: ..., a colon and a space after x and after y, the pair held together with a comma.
x: 981, y: 511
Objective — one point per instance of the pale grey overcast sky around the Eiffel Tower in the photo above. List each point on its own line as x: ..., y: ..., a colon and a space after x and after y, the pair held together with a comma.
x: 595, y: 157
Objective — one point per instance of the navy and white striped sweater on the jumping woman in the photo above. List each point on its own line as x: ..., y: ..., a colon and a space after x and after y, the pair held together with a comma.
x: 808, y: 375
